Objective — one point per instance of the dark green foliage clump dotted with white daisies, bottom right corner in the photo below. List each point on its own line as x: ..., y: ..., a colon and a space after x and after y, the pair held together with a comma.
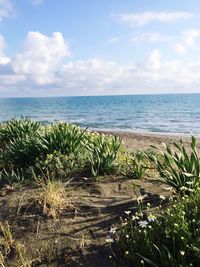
x: 169, y: 238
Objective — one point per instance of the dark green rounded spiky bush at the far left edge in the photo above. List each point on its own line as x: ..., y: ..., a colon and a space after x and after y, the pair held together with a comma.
x: 20, y: 142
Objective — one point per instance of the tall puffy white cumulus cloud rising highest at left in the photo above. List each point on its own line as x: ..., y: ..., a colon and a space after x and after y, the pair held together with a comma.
x: 41, y: 56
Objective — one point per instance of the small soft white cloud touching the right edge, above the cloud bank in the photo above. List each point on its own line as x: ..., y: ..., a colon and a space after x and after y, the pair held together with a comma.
x: 187, y: 41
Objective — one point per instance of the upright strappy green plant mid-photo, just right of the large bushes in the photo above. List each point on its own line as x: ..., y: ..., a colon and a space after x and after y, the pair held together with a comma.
x: 103, y: 153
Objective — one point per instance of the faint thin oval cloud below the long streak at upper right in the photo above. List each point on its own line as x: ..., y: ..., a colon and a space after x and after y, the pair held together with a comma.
x: 151, y: 37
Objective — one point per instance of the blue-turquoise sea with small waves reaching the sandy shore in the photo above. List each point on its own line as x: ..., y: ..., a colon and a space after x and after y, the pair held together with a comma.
x: 149, y: 113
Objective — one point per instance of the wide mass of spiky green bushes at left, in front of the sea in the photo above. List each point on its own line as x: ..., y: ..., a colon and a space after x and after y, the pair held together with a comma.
x: 24, y: 141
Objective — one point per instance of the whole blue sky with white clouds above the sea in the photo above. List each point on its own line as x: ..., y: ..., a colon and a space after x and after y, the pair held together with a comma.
x: 99, y: 47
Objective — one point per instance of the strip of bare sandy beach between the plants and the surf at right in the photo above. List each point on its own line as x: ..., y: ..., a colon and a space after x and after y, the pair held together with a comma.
x: 143, y: 141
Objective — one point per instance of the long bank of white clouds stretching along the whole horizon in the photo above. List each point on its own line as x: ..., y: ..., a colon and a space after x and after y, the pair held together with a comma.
x: 39, y: 69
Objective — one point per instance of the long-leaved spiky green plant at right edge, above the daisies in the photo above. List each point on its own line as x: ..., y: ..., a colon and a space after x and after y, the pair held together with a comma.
x: 179, y: 168
